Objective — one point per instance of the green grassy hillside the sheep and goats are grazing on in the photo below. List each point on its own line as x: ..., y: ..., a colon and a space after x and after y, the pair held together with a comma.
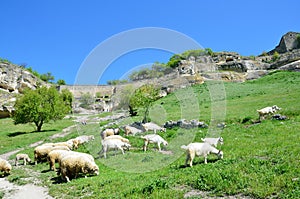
x: 260, y: 160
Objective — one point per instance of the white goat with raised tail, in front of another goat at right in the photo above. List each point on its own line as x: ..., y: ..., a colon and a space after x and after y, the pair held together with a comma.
x: 199, y: 149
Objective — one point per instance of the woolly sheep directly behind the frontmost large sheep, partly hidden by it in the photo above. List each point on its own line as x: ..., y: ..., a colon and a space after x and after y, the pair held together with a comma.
x: 57, y: 155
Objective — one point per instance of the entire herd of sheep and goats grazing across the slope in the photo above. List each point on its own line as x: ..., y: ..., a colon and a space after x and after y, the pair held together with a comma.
x: 72, y: 163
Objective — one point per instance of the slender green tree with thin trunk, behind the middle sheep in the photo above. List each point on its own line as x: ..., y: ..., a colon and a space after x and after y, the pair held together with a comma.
x: 143, y: 97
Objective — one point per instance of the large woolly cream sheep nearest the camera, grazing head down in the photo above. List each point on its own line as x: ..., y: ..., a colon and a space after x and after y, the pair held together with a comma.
x: 72, y: 165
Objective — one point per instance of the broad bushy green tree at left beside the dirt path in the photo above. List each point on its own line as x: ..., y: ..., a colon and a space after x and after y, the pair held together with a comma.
x: 39, y: 106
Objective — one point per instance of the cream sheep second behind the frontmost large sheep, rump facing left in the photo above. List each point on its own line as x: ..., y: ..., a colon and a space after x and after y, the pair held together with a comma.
x: 41, y: 152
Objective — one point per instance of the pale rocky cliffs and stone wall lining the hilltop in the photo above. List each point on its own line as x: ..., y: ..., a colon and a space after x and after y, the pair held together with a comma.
x: 194, y: 69
